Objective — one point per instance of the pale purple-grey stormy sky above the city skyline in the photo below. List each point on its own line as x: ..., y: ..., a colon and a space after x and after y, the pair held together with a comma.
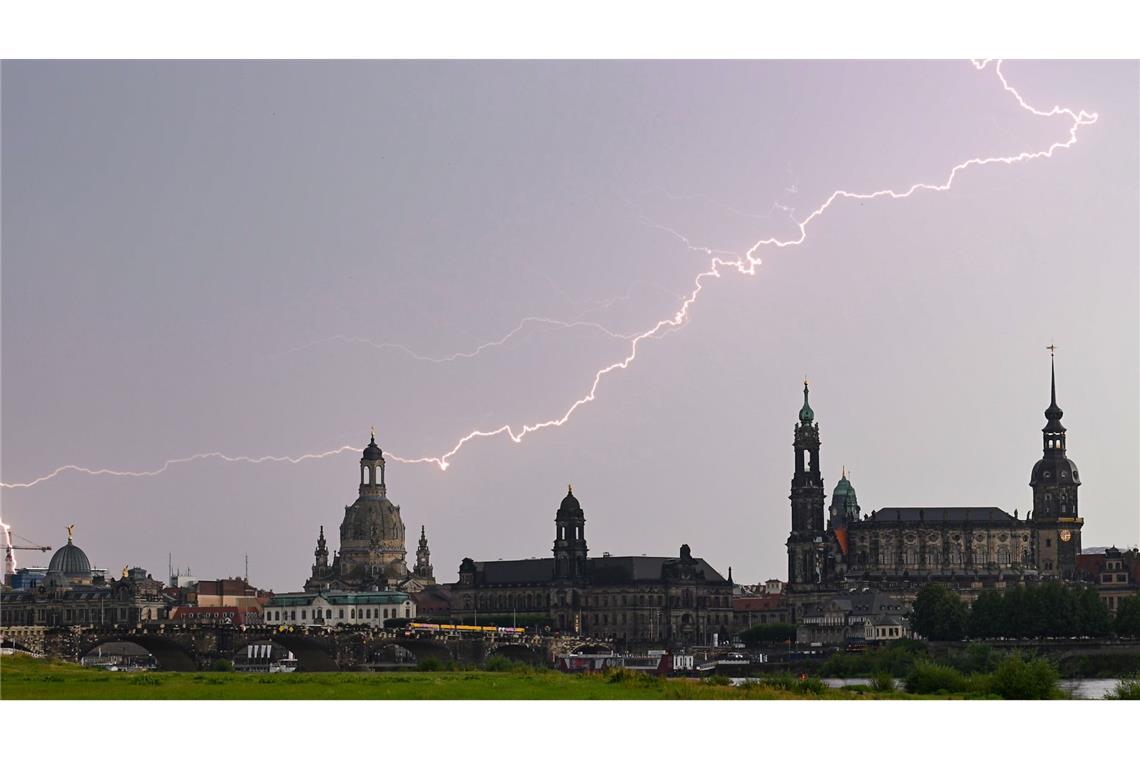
x: 267, y: 259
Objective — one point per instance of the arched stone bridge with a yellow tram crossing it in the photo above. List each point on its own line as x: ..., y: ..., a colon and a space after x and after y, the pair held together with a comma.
x: 198, y: 648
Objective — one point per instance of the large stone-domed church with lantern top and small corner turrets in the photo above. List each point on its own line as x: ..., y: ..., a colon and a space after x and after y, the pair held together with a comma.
x: 372, y: 557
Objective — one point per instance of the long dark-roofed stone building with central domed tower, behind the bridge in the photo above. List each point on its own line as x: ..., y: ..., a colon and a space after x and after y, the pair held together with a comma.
x: 630, y: 600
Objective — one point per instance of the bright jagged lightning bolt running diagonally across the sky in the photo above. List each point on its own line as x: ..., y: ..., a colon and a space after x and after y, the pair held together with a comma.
x: 720, y: 263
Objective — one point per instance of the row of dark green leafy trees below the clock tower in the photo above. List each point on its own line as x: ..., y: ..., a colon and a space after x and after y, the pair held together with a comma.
x: 1049, y: 610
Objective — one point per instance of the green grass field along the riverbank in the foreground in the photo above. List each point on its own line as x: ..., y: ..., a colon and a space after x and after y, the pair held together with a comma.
x: 30, y: 679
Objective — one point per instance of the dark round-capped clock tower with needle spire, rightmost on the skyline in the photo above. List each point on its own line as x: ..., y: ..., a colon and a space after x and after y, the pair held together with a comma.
x: 1055, y: 481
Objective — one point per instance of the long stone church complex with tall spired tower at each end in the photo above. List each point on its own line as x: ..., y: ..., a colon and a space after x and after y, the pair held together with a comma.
x: 906, y: 547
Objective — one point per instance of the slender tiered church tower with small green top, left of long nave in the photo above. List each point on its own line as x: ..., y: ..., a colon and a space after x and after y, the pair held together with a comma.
x: 805, y: 543
